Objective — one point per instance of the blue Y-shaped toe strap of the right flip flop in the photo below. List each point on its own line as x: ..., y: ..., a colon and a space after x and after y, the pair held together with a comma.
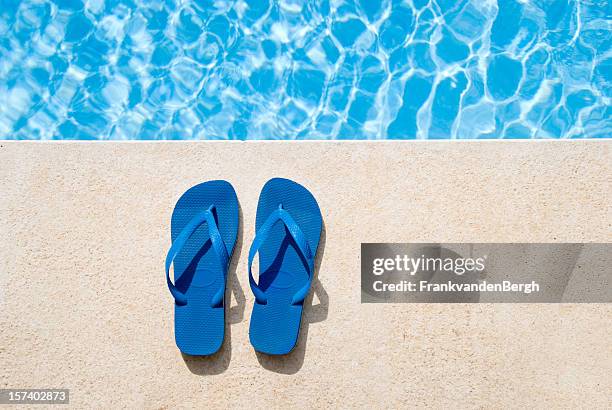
x: 302, y: 245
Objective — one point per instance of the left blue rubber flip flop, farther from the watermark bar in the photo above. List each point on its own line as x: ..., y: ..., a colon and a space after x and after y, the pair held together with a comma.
x: 204, y: 228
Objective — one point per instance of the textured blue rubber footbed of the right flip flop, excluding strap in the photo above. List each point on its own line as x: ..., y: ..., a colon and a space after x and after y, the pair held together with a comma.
x: 275, y: 326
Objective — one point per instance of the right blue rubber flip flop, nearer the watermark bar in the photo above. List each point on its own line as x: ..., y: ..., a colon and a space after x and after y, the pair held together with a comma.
x: 288, y: 226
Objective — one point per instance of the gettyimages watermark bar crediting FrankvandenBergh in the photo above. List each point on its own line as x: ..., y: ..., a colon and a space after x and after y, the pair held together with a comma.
x: 486, y: 272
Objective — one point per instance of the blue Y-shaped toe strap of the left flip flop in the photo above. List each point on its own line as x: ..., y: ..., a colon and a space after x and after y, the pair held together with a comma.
x: 217, y: 244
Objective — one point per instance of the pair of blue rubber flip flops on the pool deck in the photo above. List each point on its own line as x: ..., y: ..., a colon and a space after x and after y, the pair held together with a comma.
x: 204, y: 228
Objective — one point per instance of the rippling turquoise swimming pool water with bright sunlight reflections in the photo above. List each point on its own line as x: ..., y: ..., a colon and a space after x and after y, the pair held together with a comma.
x: 296, y: 70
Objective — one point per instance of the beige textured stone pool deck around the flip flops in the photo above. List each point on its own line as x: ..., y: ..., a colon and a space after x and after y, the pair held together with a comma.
x: 84, y: 304
